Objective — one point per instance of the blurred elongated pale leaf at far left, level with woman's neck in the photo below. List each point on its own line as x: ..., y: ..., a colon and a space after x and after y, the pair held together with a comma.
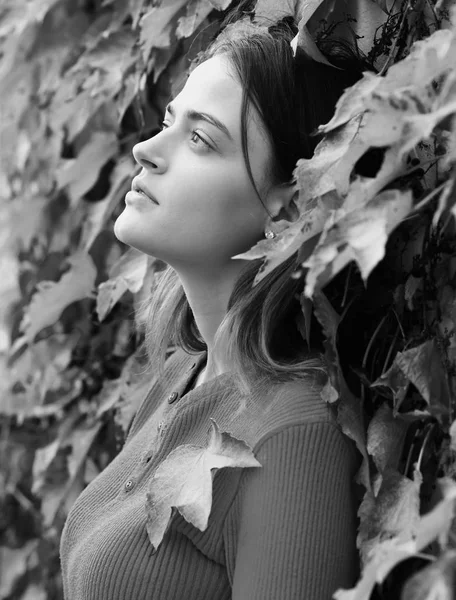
x: 51, y: 298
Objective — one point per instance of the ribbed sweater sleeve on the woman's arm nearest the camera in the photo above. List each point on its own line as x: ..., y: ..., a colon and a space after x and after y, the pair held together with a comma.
x: 296, y: 516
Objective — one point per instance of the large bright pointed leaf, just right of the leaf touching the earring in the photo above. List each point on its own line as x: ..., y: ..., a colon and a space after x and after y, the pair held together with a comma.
x: 357, y: 235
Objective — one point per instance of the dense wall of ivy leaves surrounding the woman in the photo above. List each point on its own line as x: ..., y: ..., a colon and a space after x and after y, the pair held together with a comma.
x: 81, y: 81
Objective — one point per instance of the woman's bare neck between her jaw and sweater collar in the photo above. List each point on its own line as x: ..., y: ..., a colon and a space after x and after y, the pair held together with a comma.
x: 208, y: 290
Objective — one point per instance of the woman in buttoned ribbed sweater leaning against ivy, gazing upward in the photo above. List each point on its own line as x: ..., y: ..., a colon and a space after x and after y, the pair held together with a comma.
x: 213, y: 182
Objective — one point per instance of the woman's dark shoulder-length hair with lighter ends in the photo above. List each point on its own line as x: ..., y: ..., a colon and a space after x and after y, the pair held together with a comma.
x: 258, y: 337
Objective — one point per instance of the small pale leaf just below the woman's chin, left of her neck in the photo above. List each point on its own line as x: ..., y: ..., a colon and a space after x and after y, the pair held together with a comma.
x: 126, y: 274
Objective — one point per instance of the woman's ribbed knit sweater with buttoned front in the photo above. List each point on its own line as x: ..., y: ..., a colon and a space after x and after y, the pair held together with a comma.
x: 285, y: 531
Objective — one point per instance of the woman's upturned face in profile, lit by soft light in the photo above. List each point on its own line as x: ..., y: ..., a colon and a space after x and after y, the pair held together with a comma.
x: 207, y: 208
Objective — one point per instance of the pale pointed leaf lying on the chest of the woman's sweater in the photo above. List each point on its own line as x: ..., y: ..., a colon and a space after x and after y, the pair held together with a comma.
x: 184, y: 481
